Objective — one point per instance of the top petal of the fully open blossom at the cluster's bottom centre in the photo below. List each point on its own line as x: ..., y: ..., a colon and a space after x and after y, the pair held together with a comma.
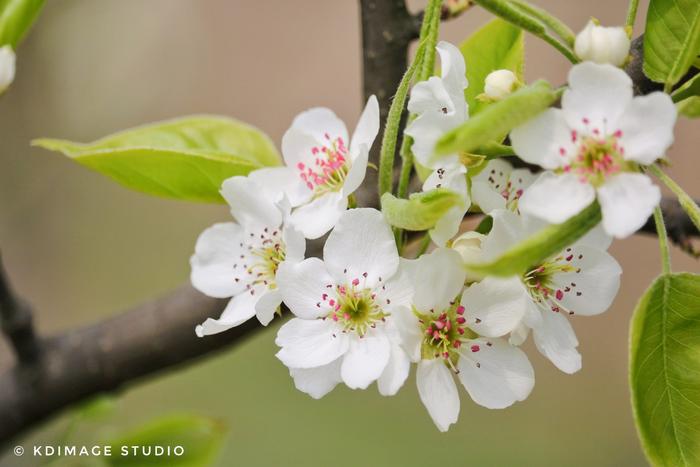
x: 361, y: 247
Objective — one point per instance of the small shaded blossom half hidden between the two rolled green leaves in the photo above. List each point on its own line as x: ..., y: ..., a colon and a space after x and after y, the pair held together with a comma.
x: 499, y: 186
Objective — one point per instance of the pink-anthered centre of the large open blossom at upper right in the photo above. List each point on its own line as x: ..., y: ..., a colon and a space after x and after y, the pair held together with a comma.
x: 597, y: 157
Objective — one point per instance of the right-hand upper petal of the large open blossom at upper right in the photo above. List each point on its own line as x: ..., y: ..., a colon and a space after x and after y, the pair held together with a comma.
x: 647, y: 127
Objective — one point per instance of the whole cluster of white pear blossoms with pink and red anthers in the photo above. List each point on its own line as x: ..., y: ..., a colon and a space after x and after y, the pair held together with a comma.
x: 364, y: 314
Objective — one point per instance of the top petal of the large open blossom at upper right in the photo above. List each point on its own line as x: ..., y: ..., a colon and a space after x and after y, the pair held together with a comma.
x: 596, y: 98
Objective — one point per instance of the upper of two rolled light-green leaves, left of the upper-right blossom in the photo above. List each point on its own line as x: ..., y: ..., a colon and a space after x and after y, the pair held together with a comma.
x: 498, y: 119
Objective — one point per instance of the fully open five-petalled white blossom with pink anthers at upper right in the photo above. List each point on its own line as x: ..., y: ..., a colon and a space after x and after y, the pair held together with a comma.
x: 594, y: 146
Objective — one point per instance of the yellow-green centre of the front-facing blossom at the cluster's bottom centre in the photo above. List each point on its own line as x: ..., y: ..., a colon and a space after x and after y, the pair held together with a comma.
x: 355, y: 308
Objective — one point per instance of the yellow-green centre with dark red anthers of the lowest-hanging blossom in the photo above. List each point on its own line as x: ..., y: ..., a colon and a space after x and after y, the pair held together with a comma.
x: 444, y: 334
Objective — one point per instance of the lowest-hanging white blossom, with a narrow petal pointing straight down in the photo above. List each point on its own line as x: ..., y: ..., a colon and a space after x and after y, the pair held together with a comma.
x: 435, y: 333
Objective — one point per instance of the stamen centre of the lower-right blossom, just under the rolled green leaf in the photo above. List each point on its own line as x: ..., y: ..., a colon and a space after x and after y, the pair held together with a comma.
x: 543, y: 288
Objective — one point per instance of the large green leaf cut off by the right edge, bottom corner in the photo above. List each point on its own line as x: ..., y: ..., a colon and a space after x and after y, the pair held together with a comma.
x: 665, y: 370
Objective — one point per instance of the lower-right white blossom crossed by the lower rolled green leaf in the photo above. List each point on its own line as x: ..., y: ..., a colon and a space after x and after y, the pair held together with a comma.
x: 583, y: 279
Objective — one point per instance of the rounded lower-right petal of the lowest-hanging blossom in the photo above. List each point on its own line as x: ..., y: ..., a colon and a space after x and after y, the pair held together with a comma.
x: 496, y: 375
